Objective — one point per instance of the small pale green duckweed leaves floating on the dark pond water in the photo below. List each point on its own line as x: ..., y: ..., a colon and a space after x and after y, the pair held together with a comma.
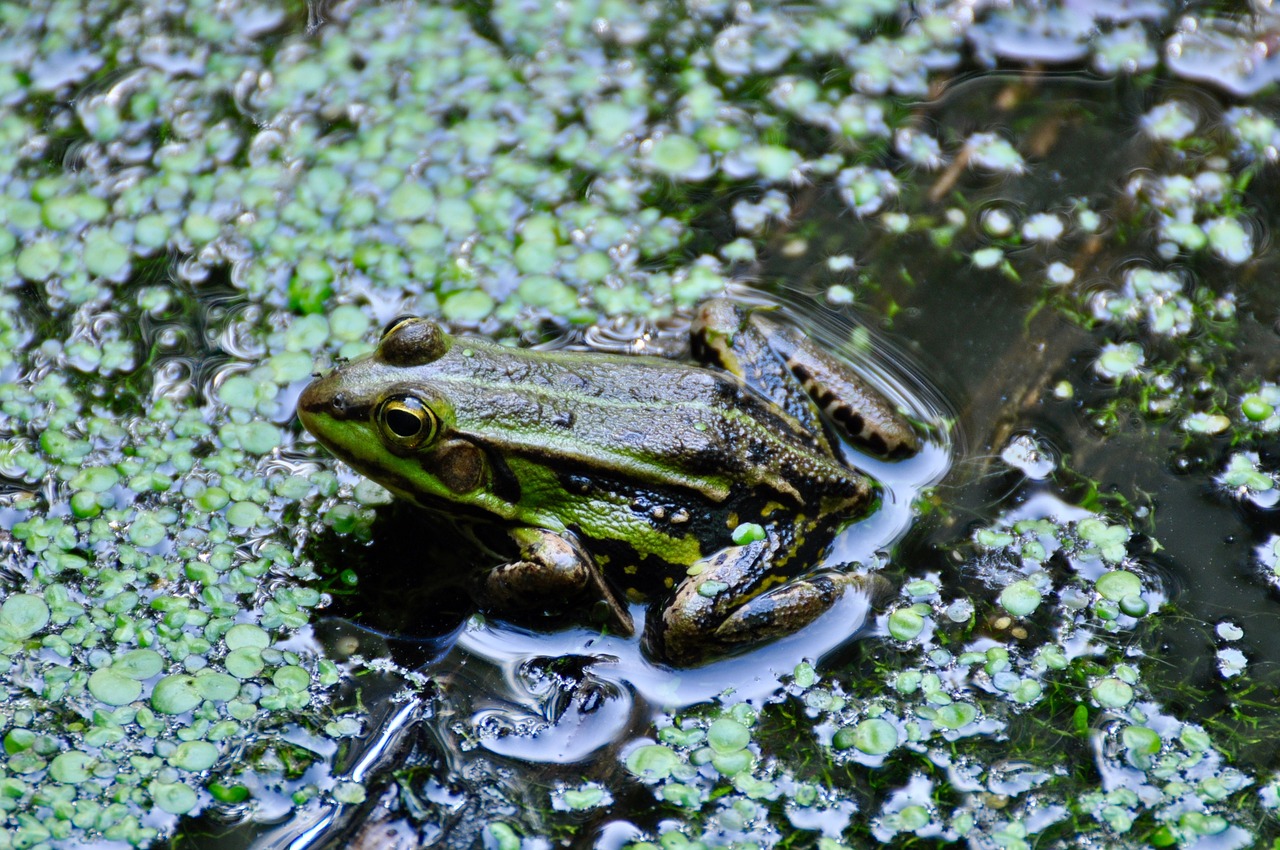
x: 188, y: 234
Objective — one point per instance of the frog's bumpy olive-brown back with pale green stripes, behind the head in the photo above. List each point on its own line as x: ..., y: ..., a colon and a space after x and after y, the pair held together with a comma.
x: 644, y: 421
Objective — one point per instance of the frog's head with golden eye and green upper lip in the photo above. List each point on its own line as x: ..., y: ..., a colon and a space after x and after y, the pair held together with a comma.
x: 387, y: 415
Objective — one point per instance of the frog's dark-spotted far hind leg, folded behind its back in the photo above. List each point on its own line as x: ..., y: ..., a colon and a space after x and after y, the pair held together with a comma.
x: 774, y: 359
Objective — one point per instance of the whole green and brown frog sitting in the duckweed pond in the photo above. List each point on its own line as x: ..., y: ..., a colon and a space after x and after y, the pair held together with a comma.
x: 620, y: 478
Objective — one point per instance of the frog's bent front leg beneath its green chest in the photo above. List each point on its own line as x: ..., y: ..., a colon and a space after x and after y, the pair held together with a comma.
x: 554, y: 569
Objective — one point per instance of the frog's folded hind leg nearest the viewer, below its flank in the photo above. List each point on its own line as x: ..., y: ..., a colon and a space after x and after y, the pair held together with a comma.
x: 715, y: 610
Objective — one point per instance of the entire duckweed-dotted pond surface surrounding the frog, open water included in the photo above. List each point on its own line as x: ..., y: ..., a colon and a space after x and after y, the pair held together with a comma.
x: 1055, y: 218
